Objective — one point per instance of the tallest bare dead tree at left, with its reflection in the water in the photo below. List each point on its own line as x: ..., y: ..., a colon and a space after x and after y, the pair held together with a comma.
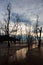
x: 9, y: 12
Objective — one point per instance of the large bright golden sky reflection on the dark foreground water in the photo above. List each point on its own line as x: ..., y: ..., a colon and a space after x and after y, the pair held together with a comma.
x: 21, y: 54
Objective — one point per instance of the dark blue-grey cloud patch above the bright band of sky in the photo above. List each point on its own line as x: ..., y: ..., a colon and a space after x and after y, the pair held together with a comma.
x: 21, y: 18
